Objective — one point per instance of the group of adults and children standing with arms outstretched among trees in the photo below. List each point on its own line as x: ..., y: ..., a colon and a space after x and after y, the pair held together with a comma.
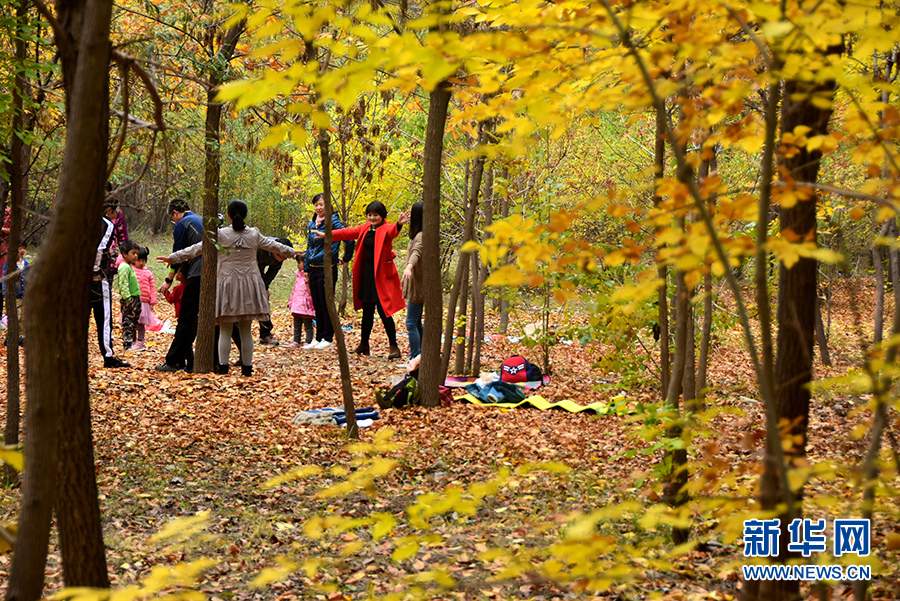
x: 242, y: 291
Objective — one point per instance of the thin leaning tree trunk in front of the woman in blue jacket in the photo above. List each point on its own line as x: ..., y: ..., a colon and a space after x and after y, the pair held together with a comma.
x: 340, y: 343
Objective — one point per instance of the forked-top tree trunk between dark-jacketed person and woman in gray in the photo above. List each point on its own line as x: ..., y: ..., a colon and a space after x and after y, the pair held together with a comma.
x: 206, y: 324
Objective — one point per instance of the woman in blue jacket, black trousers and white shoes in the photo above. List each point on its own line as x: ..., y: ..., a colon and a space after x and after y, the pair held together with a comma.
x: 314, y: 268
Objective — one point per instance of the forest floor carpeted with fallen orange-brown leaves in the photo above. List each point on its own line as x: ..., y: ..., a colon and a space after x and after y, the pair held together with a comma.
x: 172, y: 445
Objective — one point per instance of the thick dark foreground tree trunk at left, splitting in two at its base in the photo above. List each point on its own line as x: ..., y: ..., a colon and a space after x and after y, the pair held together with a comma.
x: 59, y: 461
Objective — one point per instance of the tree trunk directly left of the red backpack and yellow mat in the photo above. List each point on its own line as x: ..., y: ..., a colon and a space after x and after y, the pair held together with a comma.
x: 431, y: 371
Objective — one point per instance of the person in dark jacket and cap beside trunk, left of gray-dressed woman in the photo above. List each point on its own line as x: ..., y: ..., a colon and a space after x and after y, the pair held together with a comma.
x: 188, y: 231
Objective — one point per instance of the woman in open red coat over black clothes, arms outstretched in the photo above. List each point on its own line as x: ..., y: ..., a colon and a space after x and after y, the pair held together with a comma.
x: 376, y: 283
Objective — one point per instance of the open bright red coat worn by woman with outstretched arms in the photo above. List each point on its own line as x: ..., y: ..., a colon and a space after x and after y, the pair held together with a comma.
x: 387, y: 280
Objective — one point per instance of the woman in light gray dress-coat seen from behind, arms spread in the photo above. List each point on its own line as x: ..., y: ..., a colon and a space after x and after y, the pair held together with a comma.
x: 240, y: 292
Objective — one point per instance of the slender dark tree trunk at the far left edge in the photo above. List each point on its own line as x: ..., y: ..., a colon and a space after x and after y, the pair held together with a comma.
x: 17, y: 182
